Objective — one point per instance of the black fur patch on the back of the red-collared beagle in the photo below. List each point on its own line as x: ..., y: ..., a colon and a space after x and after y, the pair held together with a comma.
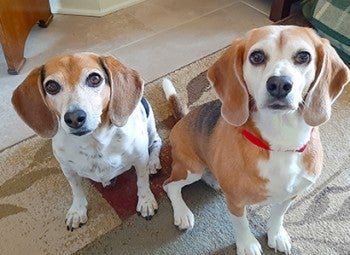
x: 208, y: 117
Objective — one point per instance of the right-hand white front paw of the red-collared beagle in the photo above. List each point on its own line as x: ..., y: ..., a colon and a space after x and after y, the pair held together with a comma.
x: 279, y: 240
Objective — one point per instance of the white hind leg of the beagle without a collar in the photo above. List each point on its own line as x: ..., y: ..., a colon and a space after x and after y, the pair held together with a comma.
x: 155, y: 143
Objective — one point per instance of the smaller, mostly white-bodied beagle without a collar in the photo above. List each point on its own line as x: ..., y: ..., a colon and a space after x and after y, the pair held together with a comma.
x: 92, y: 108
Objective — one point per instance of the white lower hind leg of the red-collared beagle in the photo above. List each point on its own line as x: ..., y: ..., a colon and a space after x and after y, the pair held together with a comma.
x: 183, y: 217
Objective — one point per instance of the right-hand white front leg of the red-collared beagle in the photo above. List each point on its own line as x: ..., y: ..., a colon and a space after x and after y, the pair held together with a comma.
x: 278, y: 237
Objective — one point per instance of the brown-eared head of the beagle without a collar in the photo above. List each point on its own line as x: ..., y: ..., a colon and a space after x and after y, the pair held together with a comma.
x: 79, y: 92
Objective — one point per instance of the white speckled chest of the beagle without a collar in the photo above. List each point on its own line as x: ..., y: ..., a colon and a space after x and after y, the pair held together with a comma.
x: 92, y: 159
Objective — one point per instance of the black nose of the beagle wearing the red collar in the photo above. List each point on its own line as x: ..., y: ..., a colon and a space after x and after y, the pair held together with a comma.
x: 279, y: 86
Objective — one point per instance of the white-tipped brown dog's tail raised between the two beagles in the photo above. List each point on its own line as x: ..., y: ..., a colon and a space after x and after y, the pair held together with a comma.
x: 180, y: 109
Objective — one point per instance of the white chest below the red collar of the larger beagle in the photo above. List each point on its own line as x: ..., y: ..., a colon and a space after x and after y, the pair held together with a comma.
x: 286, y: 176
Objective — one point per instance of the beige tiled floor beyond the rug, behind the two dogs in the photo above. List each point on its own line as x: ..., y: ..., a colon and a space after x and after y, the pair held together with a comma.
x: 154, y: 37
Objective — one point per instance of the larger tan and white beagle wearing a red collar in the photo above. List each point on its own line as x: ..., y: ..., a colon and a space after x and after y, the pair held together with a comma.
x: 260, y: 140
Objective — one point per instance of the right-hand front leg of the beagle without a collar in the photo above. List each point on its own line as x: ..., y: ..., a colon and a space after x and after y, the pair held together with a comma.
x: 147, y: 204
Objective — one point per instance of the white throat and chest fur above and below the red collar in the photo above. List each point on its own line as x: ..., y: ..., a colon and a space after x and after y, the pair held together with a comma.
x: 284, y: 170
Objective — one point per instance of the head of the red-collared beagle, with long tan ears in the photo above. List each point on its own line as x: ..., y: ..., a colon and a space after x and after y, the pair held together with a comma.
x: 282, y: 69
